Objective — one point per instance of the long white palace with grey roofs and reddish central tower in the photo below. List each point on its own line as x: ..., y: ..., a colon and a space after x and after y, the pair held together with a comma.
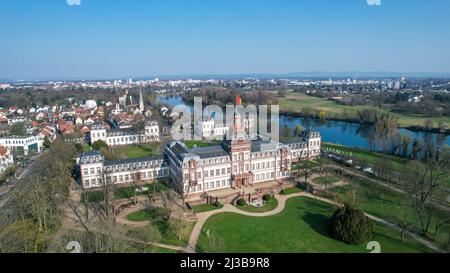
x: 235, y: 163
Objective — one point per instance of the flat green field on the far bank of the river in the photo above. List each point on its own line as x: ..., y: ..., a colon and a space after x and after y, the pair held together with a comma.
x: 295, y: 102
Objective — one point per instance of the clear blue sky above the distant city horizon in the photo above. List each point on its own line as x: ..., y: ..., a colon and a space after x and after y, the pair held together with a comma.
x: 48, y: 39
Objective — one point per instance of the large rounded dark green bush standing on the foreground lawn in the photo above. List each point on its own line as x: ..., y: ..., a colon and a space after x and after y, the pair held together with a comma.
x: 350, y: 226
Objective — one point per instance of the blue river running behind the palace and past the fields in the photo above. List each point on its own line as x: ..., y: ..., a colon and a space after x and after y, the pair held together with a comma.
x: 338, y: 132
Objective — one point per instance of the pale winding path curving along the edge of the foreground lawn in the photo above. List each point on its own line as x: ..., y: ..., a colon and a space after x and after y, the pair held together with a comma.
x: 203, y: 217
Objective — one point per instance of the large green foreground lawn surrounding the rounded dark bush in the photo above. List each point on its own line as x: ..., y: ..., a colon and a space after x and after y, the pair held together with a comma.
x: 300, y: 228
